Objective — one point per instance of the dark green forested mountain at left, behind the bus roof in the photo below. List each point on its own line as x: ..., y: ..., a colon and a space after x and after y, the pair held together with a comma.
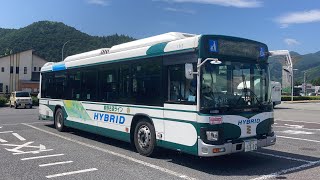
x: 46, y: 38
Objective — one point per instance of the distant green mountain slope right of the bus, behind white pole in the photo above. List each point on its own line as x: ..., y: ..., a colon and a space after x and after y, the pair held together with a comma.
x: 309, y: 63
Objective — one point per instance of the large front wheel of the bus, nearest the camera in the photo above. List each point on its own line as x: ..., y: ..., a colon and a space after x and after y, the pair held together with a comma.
x: 144, y: 138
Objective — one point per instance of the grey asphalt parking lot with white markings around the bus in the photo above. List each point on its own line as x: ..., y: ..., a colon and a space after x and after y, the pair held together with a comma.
x: 33, y: 149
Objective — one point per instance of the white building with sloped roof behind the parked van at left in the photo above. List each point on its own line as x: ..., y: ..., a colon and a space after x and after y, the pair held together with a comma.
x: 20, y: 71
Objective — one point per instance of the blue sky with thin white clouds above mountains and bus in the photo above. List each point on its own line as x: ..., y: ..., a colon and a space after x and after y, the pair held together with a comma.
x: 281, y: 24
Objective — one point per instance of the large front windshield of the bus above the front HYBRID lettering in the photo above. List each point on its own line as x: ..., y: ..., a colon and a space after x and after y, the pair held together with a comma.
x: 234, y: 85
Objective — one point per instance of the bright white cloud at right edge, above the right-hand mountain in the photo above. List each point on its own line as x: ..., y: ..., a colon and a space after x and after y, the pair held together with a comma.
x: 298, y: 18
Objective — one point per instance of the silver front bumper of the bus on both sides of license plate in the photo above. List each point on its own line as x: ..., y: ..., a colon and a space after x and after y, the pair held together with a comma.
x: 208, y: 150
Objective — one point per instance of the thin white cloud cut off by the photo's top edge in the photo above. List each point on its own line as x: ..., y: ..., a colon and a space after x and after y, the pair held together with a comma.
x: 227, y: 3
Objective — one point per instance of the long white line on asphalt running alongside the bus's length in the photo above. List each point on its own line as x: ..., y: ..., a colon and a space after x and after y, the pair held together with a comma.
x: 168, y: 171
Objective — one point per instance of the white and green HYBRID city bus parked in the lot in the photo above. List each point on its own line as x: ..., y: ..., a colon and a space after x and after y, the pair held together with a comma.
x: 180, y: 91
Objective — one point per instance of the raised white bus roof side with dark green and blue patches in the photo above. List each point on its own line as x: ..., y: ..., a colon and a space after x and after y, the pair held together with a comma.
x: 167, y: 43
